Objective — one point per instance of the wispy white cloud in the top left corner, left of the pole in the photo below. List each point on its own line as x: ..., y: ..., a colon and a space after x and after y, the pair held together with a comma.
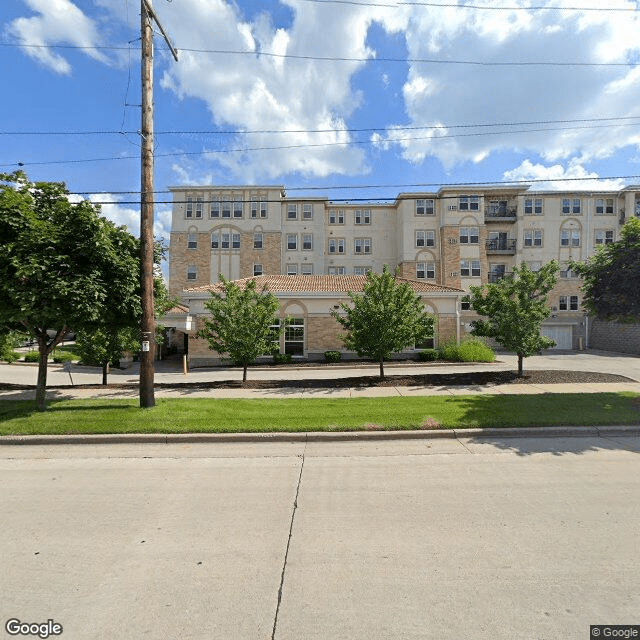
x: 58, y: 22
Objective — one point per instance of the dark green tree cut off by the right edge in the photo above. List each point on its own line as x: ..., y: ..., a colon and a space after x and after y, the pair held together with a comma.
x: 610, y: 278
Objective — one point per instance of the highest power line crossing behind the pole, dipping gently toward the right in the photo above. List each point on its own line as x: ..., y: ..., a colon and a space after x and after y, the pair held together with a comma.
x: 477, y: 63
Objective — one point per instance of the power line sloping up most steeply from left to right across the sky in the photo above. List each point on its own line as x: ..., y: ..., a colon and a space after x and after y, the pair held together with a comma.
x: 313, y: 145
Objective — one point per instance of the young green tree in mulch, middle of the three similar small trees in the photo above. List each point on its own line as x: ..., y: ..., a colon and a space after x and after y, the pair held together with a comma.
x: 385, y: 318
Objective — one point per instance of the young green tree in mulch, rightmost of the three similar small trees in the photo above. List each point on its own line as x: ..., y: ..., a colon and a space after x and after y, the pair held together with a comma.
x: 516, y: 307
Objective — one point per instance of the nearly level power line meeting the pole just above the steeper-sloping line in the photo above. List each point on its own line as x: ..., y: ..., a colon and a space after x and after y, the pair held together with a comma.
x: 612, y: 119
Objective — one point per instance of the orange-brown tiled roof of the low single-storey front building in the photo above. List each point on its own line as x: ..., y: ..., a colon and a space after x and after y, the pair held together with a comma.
x: 313, y: 284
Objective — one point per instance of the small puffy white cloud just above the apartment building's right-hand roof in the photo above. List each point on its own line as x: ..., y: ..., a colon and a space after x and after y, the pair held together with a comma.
x: 560, y: 178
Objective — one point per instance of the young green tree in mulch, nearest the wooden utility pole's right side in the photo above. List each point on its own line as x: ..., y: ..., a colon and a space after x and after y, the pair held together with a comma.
x: 241, y: 323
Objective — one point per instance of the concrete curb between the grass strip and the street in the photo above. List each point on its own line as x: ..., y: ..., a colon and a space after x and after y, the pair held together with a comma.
x: 323, y: 436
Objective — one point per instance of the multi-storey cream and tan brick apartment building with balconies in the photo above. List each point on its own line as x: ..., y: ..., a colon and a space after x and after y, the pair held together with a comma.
x: 454, y: 237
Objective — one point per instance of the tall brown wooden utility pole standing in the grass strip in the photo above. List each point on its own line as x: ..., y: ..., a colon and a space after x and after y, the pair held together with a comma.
x: 147, y: 324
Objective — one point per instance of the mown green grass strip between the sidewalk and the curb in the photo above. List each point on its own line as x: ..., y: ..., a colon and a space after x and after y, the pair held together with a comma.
x: 318, y: 414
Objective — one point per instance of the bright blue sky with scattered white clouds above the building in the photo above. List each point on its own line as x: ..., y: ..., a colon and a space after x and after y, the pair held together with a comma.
x: 357, y: 94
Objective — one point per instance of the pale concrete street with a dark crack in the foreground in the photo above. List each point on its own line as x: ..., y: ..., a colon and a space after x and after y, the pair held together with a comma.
x: 469, y: 537
